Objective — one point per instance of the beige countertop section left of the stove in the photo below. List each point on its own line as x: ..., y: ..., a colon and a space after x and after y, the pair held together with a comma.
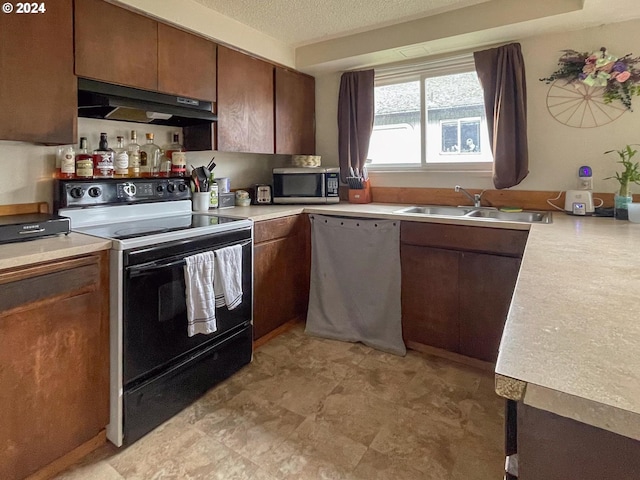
x: 50, y: 248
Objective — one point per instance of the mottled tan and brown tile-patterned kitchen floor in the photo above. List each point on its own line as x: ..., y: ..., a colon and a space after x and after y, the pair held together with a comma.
x: 310, y: 408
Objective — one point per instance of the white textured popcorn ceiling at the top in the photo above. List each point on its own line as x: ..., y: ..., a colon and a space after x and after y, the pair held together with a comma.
x: 301, y: 22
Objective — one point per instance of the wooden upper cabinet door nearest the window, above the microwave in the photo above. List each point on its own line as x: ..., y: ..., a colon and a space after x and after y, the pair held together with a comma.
x: 295, y: 113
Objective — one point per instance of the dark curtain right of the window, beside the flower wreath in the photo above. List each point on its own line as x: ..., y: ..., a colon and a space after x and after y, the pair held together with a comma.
x: 501, y: 74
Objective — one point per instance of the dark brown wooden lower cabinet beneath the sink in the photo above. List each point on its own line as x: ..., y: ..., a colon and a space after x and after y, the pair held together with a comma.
x: 457, y: 284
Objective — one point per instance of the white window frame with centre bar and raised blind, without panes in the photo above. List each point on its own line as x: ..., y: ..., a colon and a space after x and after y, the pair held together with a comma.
x: 419, y: 72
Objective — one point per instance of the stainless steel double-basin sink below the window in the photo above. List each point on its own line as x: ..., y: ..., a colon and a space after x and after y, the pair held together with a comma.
x: 478, y: 212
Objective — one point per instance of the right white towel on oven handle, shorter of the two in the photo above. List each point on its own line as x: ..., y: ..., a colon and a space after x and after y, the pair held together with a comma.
x: 228, y: 281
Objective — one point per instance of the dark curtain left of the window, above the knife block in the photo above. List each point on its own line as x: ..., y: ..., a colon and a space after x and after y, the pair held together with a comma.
x: 355, y: 119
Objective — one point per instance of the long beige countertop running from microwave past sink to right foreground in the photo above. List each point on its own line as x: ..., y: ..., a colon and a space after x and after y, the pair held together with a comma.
x: 572, y: 334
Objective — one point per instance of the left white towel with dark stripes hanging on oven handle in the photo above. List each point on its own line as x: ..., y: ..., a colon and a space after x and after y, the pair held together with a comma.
x: 199, y: 273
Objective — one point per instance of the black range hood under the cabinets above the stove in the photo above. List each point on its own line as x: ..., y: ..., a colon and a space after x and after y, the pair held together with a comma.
x: 115, y: 102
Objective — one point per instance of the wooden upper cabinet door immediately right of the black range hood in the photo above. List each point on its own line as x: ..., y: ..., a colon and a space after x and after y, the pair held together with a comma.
x: 245, y: 103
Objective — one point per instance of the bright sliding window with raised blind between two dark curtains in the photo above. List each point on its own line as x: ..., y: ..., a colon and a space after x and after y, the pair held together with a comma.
x: 430, y: 116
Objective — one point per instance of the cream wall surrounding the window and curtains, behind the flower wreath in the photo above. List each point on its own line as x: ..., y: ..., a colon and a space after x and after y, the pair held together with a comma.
x: 555, y: 150
